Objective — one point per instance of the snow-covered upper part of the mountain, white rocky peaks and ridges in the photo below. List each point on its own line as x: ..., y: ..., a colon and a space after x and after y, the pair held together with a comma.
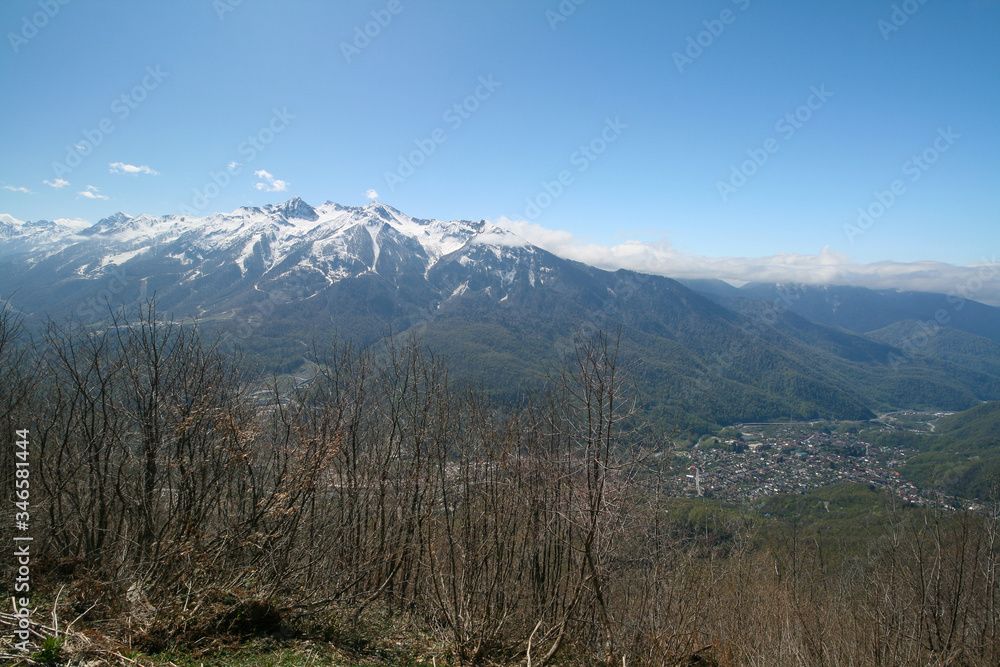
x: 271, y: 244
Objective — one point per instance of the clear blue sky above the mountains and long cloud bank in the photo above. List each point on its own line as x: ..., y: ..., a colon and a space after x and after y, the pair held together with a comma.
x: 715, y: 129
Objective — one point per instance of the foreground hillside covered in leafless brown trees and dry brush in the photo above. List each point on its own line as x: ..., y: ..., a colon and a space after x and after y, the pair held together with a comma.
x: 181, y: 510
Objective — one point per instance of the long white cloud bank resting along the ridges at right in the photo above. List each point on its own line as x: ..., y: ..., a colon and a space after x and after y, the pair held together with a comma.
x: 979, y: 282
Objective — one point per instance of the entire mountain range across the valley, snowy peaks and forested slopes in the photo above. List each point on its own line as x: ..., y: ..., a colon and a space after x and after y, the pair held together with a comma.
x: 281, y: 280
